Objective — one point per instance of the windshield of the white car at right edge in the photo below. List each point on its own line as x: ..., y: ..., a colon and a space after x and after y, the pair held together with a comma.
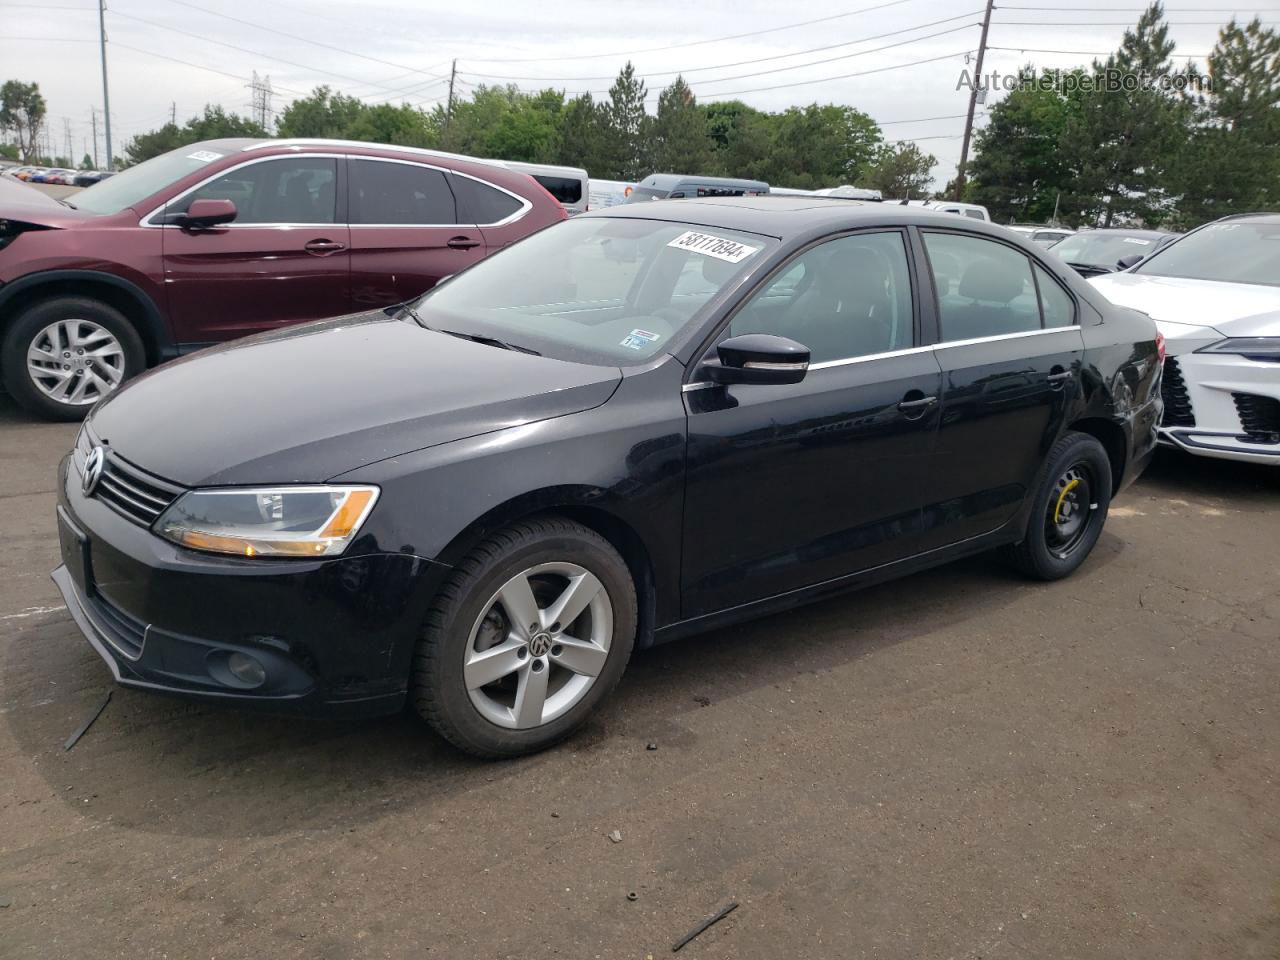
x: 1238, y: 252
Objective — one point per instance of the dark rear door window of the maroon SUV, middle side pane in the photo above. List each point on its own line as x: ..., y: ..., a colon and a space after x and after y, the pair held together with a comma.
x: 386, y: 193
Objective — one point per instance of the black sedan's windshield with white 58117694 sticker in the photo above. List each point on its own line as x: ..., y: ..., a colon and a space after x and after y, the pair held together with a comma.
x: 606, y: 291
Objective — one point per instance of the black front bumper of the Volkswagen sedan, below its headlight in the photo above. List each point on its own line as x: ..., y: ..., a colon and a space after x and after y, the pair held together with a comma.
x: 331, y: 636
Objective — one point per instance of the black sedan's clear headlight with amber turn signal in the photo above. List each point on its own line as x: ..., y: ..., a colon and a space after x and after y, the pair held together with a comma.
x: 269, y: 522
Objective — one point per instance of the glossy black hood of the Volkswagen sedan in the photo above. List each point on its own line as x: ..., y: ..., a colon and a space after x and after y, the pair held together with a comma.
x: 310, y: 403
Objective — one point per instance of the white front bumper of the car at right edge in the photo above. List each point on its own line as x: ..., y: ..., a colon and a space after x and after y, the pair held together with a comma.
x: 1212, y: 423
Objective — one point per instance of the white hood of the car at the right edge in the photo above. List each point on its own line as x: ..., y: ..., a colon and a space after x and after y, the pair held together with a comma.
x: 1177, y: 304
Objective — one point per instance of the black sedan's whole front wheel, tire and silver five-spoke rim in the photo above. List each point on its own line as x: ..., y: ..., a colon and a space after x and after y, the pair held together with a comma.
x: 525, y: 639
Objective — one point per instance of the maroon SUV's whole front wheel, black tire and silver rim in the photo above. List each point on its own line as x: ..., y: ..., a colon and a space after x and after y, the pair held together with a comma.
x: 63, y: 355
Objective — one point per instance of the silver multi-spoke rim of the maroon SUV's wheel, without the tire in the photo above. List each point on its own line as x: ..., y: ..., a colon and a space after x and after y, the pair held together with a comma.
x: 76, y: 363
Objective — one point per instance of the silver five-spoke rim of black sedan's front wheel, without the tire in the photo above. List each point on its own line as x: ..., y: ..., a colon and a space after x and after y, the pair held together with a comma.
x: 538, y: 646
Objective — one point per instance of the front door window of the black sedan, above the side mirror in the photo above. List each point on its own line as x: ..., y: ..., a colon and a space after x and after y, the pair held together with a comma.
x: 844, y: 299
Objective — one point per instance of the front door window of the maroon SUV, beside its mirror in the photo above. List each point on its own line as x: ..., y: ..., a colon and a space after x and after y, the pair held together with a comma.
x: 290, y: 190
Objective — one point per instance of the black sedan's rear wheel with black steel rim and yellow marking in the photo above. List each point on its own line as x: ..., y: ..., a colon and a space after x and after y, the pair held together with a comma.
x: 1068, y: 510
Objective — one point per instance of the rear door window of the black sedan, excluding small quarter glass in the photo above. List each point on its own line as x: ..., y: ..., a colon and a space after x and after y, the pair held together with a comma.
x: 985, y: 289
